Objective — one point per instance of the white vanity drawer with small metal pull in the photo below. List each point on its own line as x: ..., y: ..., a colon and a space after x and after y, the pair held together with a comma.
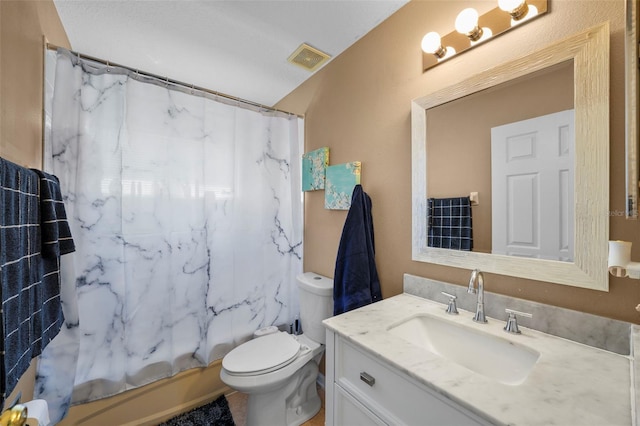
x: 395, y: 398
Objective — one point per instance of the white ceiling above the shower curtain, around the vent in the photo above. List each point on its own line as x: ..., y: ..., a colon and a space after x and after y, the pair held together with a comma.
x: 236, y: 47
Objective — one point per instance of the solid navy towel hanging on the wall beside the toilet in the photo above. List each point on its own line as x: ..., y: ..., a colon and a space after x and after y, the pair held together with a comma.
x: 355, y: 281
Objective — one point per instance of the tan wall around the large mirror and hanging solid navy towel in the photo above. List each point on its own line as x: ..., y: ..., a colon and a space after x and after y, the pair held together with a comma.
x: 359, y: 106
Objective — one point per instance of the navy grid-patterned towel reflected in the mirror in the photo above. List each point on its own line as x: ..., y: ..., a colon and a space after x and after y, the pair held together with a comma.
x: 450, y: 223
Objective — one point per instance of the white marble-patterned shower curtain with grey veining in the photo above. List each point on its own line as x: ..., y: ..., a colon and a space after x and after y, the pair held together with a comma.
x: 187, y: 216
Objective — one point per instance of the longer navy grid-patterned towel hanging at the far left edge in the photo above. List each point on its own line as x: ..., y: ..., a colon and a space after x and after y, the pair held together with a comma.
x: 31, y: 311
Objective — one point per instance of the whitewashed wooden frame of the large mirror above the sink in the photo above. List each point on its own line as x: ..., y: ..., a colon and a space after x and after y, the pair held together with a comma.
x: 589, y: 51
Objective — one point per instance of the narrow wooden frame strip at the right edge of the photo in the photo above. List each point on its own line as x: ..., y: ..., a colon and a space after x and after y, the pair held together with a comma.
x: 631, y: 107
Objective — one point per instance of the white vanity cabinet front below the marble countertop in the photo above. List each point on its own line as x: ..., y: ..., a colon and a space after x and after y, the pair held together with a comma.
x: 363, y: 390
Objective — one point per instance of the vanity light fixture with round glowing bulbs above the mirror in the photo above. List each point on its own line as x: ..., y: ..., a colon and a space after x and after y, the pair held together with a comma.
x: 472, y: 29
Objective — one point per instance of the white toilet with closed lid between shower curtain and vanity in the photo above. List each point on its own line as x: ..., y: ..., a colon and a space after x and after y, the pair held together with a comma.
x: 278, y: 370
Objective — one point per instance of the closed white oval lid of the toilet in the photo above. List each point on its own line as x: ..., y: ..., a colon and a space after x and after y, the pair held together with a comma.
x: 262, y: 355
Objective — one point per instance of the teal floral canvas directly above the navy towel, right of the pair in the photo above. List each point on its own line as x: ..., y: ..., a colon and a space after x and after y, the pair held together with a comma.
x: 340, y: 181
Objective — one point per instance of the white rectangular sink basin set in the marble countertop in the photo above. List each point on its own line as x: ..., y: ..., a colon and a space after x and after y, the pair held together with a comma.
x: 493, y: 357
